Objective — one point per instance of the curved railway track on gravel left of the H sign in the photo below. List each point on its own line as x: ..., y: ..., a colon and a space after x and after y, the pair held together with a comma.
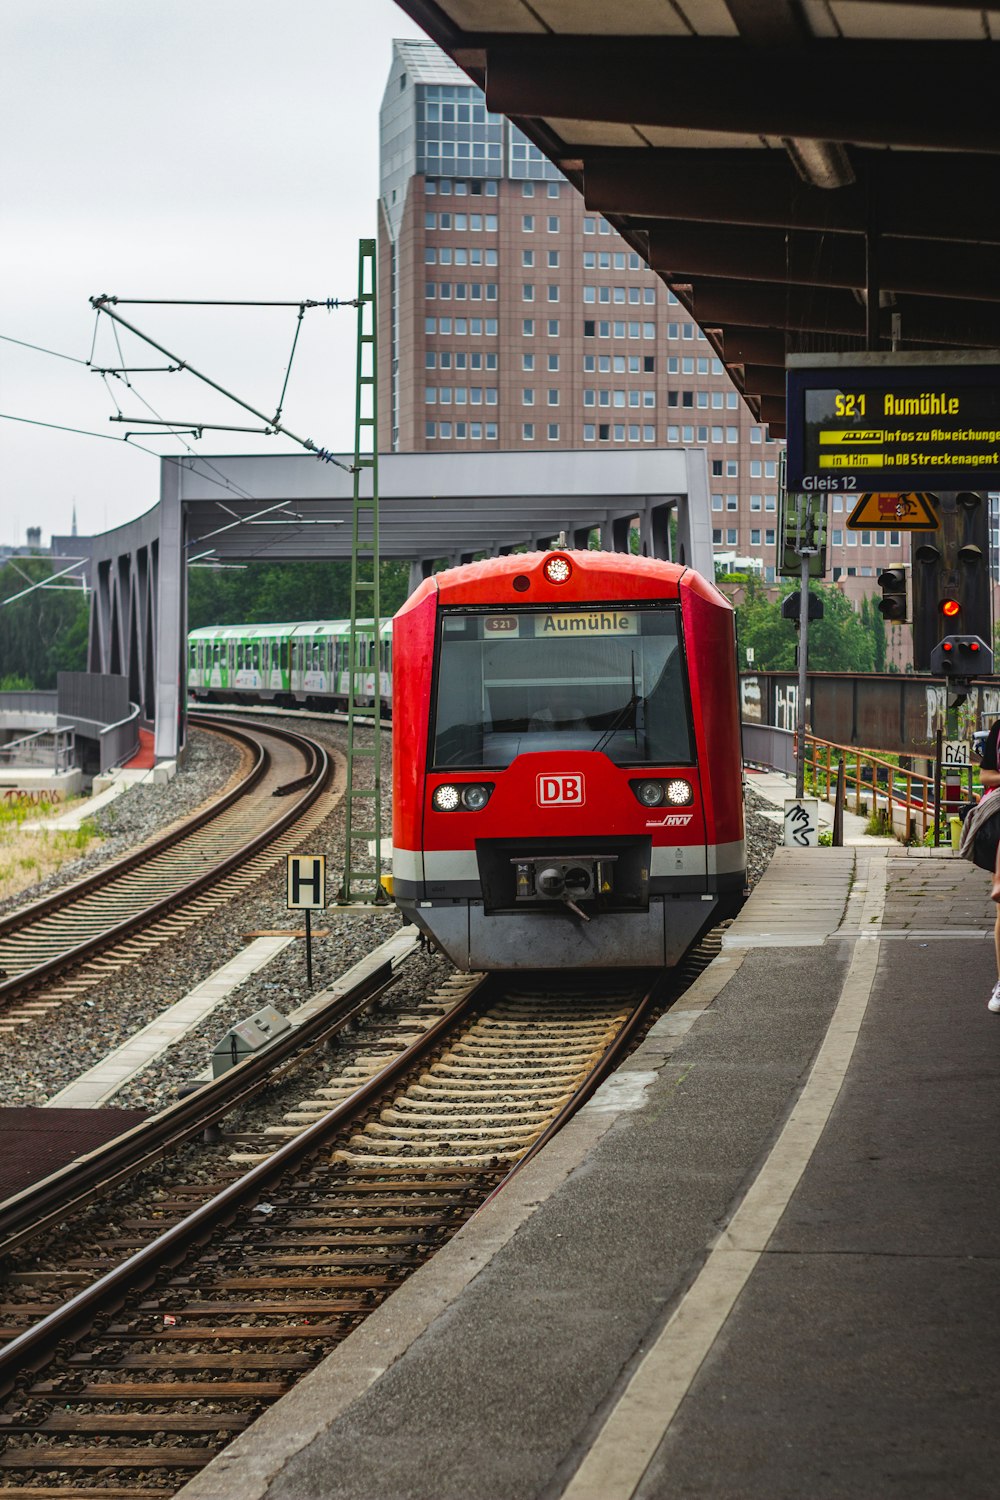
x: 67, y: 943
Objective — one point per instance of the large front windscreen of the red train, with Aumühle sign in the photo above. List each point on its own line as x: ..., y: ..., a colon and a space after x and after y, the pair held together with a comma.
x: 606, y: 679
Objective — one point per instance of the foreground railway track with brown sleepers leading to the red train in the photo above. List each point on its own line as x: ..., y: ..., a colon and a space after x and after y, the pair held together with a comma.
x: 143, y: 1376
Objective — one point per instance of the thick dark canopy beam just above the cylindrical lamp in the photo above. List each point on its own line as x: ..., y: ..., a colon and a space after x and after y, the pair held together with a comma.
x: 722, y: 85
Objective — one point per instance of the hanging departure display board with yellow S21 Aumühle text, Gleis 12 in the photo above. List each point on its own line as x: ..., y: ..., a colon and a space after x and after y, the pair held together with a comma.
x: 893, y: 422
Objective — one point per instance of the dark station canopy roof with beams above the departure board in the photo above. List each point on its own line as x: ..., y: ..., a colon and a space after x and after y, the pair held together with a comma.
x: 782, y: 164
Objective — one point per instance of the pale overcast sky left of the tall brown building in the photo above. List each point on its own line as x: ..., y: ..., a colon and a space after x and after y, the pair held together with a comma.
x: 187, y: 149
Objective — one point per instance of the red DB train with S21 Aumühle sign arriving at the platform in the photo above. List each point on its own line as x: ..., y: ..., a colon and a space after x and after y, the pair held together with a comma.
x: 567, y: 772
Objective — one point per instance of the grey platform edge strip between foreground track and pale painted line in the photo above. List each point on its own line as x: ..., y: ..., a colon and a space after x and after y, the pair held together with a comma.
x: 493, y: 1369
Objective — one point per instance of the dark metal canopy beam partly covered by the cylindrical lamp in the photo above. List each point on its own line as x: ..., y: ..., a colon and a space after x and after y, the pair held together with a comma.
x: 926, y: 197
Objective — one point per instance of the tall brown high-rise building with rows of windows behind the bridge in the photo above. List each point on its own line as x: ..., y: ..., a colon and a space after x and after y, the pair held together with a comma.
x: 512, y: 319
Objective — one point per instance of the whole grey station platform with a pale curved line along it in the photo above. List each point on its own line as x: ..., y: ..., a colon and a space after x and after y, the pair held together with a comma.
x: 761, y: 1264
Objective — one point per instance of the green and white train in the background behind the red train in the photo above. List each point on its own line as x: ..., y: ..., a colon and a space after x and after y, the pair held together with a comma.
x: 302, y: 665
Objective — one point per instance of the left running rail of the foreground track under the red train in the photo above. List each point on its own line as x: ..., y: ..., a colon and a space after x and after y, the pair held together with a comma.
x: 35, y: 1345
